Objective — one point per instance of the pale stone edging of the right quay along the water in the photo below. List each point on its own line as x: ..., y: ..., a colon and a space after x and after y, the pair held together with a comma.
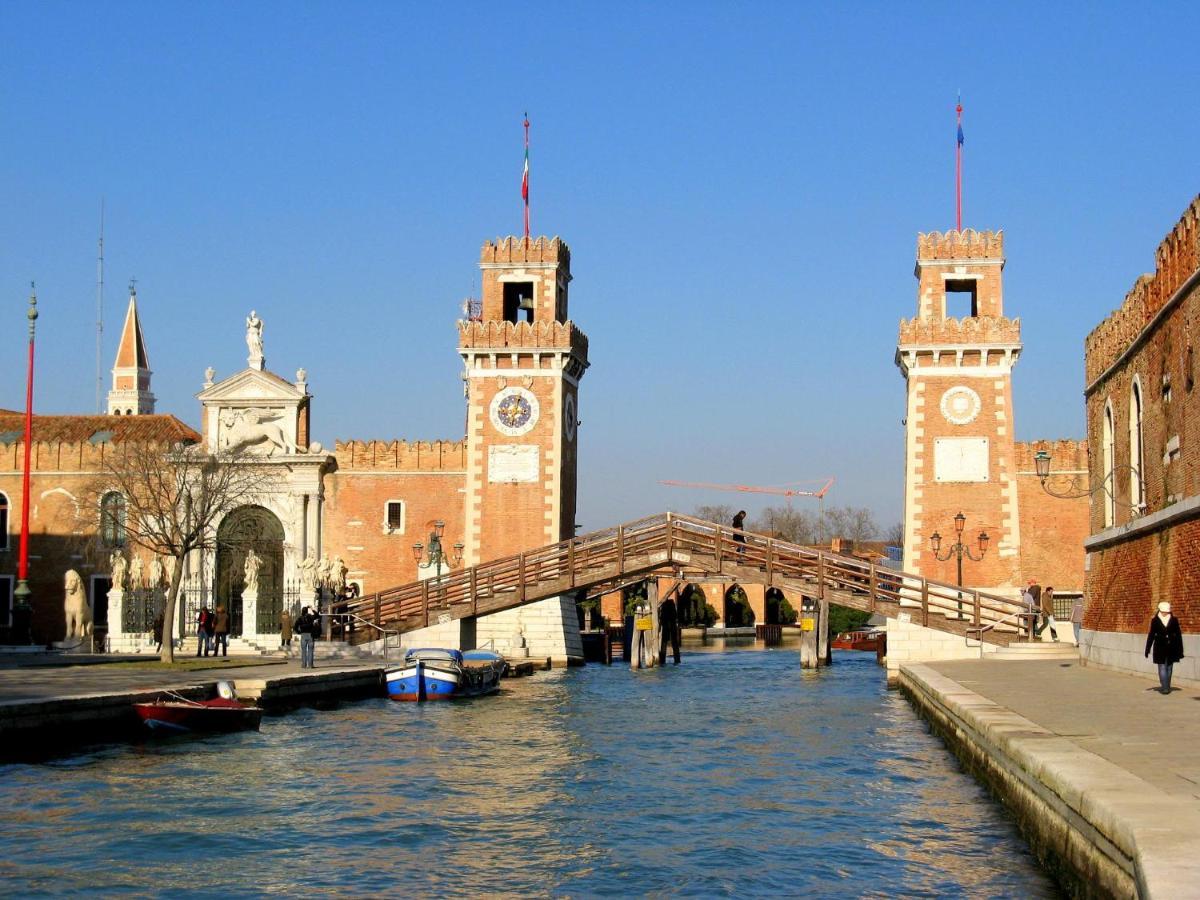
x: 1094, y: 824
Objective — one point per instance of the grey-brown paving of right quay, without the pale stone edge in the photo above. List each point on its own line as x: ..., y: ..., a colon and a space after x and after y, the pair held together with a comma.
x: 1120, y: 718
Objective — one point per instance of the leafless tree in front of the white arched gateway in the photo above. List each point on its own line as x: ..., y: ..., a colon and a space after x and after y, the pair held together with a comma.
x: 173, y: 496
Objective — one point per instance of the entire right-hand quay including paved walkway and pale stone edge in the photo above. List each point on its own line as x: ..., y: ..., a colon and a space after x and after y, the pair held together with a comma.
x: 1101, y: 771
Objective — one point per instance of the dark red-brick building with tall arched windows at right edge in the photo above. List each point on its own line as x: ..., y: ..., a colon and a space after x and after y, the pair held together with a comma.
x: 1144, y: 423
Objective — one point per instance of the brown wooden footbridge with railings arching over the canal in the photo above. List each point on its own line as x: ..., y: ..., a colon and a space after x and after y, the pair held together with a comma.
x: 687, y: 548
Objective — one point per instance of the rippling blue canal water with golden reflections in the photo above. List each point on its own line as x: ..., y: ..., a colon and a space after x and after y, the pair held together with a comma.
x: 736, y: 773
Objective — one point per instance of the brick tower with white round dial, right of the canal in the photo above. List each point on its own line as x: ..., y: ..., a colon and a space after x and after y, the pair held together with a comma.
x: 957, y: 357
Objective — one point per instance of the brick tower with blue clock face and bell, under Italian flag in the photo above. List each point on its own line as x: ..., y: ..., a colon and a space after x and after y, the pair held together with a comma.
x: 524, y: 362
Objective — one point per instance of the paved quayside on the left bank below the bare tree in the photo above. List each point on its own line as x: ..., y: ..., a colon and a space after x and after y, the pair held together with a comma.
x: 35, y: 679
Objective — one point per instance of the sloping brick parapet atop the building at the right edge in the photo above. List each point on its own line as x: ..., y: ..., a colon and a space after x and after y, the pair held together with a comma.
x: 1177, y: 263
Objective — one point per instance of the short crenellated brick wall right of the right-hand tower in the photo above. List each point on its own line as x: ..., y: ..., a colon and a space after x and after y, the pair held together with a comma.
x: 1053, y: 530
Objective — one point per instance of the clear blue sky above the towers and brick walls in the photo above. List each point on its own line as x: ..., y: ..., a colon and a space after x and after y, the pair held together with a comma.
x: 741, y: 187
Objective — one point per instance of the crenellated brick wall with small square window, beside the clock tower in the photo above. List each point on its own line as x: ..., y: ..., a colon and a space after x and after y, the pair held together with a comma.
x: 427, y: 477
